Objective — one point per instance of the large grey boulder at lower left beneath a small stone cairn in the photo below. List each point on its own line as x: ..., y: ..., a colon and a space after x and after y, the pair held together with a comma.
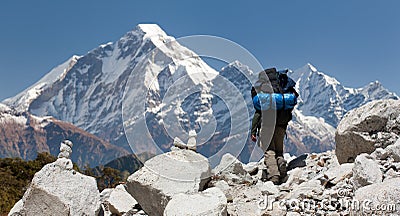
x: 57, y: 189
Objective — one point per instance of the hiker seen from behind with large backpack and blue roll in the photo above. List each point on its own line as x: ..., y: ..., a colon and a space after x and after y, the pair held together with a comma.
x: 274, y: 96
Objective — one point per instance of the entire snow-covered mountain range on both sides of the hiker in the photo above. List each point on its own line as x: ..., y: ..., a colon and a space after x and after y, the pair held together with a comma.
x: 158, y: 90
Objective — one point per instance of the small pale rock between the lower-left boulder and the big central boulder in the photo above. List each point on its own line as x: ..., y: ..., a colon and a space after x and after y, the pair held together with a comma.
x: 118, y: 201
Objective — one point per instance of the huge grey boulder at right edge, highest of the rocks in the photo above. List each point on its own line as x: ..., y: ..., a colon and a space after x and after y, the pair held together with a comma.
x: 362, y: 130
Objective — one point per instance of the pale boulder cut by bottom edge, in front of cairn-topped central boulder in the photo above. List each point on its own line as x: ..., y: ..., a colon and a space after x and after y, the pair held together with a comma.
x: 209, y: 202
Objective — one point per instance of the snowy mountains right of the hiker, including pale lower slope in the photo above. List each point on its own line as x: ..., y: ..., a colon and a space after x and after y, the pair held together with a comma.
x: 322, y: 104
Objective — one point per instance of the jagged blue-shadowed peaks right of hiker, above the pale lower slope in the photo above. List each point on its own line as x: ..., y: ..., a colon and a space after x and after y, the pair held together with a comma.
x: 324, y: 96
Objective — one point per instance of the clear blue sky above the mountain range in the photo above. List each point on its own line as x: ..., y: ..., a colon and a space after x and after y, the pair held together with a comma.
x: 356, y: 41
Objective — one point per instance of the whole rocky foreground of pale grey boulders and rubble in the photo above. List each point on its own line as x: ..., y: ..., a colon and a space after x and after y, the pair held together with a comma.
x: 181, y: 182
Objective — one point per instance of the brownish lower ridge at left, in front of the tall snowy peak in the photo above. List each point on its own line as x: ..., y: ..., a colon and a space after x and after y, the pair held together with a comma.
x: 24, y: 135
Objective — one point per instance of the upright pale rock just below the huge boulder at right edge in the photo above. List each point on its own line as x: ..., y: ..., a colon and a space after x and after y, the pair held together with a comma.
x: 366, y: 171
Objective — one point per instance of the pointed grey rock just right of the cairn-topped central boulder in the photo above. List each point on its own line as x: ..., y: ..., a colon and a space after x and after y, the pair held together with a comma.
x: 231, y: 170
